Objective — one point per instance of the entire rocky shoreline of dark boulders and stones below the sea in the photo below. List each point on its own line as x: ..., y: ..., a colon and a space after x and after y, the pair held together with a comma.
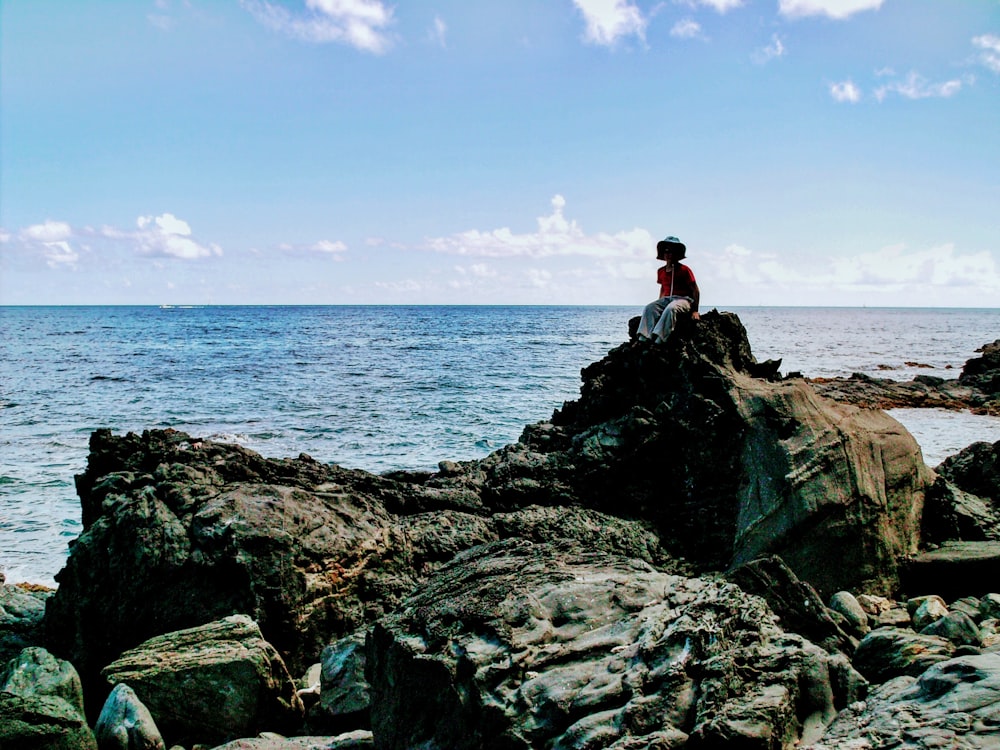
x: 696, y: 553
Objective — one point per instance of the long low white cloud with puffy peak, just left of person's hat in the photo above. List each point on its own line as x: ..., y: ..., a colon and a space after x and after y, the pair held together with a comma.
x: 556, y: 236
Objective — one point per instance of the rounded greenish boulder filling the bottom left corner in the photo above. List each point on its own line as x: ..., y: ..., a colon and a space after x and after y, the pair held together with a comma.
x: 41, y: 704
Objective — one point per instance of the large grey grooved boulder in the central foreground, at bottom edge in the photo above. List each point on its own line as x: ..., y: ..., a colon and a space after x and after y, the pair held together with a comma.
x: 515, y: 644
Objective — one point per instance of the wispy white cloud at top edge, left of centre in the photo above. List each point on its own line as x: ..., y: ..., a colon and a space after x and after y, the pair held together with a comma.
x: 359, y: 23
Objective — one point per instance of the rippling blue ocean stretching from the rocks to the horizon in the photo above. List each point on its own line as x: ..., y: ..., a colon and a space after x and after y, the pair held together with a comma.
x: 374, y: 388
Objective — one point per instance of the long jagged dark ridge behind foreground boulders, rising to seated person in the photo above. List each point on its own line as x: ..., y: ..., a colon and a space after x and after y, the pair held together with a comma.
x: 679, y: 455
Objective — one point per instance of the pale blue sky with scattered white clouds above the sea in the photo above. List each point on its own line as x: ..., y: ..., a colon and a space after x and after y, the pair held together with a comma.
x: 807, y: 152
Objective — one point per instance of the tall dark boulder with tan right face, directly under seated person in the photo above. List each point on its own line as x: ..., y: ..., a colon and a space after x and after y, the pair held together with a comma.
x: 725, y: 465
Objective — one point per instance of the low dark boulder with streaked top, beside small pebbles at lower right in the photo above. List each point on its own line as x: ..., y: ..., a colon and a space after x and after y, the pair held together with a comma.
x: 891, y: 652
